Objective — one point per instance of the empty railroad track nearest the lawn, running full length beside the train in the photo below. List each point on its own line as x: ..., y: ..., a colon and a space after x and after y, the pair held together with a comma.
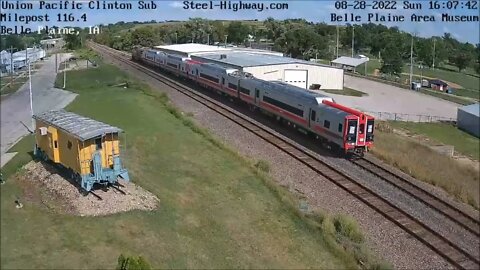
x: 451, y: 252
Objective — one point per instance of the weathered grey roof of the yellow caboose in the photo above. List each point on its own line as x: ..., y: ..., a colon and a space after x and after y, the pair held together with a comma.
x: 80, y: 127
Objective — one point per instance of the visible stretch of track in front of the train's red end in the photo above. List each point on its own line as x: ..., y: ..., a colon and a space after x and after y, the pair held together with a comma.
x: 447, y: 209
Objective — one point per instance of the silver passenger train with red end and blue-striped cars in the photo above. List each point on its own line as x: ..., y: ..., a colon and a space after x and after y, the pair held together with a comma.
x: 341, y: 127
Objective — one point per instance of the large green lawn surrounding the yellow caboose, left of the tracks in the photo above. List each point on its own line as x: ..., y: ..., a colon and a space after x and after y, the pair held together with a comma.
x: 216, y: 210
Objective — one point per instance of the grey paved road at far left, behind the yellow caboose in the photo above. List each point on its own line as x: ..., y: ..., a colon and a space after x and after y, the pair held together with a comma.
x: 15, y: 108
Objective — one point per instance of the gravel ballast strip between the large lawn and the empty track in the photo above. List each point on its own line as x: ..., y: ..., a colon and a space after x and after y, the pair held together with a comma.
x: 385, y: 238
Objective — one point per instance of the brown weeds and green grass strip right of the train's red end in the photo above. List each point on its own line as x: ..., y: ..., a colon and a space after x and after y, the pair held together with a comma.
x: 427, y: 165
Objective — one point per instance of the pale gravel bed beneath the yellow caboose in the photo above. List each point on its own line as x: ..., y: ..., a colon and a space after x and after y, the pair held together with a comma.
x: 42, y: 184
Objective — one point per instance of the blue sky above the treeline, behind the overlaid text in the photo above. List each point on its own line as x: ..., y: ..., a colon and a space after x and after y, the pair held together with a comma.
x: 316, y: 11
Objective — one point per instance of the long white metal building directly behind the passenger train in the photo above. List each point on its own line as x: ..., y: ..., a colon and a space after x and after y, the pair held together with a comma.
x: 266, y: 65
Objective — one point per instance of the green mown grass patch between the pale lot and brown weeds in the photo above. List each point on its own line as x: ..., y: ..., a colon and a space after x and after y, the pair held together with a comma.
x: 447, y: 134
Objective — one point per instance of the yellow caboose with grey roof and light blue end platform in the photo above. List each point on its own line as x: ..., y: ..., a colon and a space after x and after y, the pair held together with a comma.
x: 89, y: 149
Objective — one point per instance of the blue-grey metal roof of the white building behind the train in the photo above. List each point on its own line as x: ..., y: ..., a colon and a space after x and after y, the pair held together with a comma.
x: 250, y: 59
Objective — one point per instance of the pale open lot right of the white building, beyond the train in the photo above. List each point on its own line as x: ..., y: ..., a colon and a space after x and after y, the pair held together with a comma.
x: 386, y: 98
